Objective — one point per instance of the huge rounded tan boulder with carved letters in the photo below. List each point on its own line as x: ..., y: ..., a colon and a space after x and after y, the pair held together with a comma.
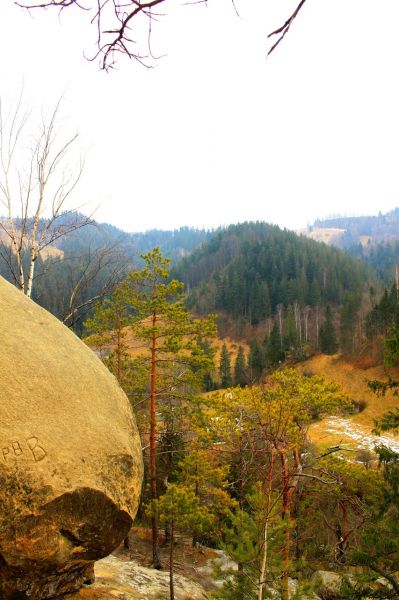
x: 70, y: 456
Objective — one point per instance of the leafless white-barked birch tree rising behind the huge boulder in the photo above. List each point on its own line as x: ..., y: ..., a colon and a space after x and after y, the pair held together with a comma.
x: 36, y: 181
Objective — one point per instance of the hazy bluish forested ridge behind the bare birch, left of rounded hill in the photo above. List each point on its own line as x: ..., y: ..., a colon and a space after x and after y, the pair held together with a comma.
x: 87, y: 262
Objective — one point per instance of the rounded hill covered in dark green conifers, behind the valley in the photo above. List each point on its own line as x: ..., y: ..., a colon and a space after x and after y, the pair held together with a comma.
x: 249, y: 269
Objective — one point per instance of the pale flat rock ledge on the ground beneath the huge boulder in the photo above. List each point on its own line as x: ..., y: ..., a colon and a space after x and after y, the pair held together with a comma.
x: 127, y: 580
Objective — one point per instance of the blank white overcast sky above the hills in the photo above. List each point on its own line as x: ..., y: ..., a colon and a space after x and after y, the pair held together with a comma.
x: 215, y: 133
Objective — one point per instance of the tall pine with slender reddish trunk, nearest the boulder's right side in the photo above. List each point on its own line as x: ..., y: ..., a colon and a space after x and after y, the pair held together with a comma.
x: 173, y: 362
